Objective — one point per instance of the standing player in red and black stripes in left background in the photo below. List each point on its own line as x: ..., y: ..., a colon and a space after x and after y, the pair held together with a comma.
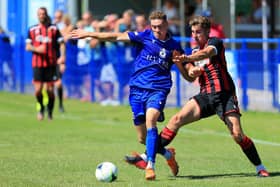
x: 43, y: 40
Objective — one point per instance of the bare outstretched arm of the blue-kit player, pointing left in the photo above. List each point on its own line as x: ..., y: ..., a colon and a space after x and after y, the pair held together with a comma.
x: 102, y: 36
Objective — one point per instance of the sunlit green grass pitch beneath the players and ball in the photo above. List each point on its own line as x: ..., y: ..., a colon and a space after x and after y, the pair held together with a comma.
x: 65, y: 151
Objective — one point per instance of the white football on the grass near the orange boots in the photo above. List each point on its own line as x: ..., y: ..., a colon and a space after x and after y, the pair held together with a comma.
x: 106, y: 172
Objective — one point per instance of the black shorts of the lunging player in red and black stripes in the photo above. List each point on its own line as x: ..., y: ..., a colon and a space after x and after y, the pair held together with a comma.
x: 220, y: 103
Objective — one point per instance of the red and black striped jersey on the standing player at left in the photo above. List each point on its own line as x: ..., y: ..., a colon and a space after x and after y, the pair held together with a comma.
x: 50, y: 37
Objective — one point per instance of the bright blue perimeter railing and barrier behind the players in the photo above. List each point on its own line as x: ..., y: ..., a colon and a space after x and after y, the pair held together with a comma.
x: 255, y: 71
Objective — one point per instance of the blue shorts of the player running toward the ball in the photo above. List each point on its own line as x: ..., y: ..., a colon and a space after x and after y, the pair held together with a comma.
x: 141, y: 99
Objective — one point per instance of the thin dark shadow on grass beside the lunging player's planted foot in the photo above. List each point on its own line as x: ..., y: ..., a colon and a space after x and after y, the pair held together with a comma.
x: 272, y: 174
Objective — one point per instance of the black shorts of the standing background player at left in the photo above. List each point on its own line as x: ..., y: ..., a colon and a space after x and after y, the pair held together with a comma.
x: 47, y: 74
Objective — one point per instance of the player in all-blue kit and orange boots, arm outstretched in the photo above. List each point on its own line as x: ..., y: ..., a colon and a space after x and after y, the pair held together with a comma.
x: 150, y: 83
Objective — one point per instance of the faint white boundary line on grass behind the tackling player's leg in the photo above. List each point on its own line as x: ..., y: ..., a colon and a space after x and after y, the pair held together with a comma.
x: 226, y: 135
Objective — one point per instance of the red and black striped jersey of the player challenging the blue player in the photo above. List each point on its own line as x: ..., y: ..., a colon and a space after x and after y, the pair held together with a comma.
x: 215, y: 76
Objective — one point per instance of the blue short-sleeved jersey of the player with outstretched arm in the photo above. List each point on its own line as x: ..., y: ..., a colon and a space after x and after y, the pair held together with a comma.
x: 153, y: 62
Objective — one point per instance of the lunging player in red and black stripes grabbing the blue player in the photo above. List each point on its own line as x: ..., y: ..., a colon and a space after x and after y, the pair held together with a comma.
x: 217, y: 92
